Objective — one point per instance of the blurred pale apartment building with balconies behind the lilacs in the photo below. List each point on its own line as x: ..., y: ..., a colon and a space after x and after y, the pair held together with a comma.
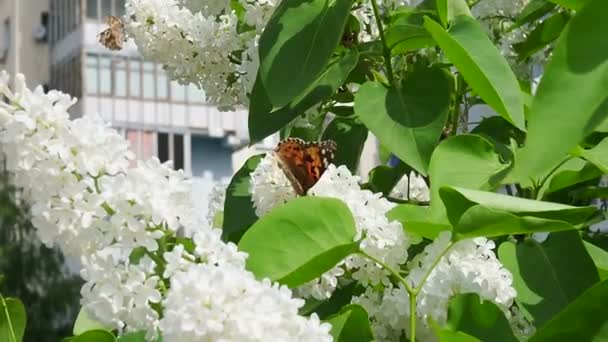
x: 54, y: 43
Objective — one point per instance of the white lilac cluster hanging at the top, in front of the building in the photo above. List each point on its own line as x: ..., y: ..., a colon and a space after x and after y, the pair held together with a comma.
x: 200, y: 42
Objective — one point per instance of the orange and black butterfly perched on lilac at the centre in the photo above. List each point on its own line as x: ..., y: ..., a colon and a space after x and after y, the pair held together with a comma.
x: 304, y: 162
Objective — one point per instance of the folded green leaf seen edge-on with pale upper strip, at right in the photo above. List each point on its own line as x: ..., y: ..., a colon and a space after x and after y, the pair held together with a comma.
x: 459, y: 200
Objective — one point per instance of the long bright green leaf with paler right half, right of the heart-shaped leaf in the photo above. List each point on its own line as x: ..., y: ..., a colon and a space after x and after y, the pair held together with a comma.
x: 482, y: 66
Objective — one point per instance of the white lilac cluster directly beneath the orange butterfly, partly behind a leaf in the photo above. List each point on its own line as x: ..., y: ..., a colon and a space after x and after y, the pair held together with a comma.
x: 383, y: 239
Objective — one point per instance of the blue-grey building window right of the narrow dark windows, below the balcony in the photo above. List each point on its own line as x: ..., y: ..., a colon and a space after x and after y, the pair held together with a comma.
x: 210, y: 155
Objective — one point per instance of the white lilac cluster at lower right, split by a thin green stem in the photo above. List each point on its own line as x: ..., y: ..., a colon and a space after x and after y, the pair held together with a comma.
x: 467, y: 266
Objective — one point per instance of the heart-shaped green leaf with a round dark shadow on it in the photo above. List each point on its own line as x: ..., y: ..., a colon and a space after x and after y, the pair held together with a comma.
x: 409, y: 120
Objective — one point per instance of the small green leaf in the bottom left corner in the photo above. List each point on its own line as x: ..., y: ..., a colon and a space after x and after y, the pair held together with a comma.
x: 12, y: 319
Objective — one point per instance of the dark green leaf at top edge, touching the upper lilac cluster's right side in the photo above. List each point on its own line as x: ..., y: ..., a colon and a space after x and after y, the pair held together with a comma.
x: 297, y: 43
